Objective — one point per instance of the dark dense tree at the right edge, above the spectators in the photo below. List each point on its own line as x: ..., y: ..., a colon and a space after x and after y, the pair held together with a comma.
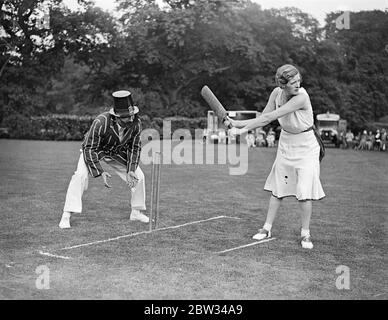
x: 364, y: 71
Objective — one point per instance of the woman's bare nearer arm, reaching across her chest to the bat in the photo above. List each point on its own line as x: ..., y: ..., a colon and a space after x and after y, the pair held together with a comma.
x: 295, y: 103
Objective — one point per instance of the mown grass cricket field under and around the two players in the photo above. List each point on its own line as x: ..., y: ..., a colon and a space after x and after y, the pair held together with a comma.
x: 348, y: 227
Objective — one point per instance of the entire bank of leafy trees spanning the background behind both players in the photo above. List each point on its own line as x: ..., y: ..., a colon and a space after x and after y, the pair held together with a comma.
x: 165, y: 53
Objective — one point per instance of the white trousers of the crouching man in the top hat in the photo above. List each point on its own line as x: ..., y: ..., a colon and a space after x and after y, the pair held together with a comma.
x: 79, y: 184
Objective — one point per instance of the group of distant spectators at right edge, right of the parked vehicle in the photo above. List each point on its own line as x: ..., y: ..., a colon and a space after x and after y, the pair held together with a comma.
x: 365, y: 140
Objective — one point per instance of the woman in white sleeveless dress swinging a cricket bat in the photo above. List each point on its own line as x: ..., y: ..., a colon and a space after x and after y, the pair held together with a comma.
x: 295, y: 171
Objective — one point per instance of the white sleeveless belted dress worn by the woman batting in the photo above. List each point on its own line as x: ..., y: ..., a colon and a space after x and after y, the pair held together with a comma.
x: 295, y: 171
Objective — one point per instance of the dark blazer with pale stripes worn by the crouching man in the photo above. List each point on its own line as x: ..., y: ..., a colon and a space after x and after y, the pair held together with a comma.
x: 102, y: 140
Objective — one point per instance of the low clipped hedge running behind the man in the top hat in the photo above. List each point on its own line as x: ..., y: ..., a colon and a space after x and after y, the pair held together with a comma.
x: 72, y: 127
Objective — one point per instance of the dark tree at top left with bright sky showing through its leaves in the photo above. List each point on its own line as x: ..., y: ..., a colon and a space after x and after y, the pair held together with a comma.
x: 32, y: 53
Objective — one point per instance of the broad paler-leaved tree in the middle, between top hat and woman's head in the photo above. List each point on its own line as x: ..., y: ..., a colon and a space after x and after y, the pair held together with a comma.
x: 172, y: 51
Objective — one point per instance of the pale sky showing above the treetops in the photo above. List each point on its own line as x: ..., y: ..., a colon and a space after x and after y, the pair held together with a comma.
x: 317, y: 8
